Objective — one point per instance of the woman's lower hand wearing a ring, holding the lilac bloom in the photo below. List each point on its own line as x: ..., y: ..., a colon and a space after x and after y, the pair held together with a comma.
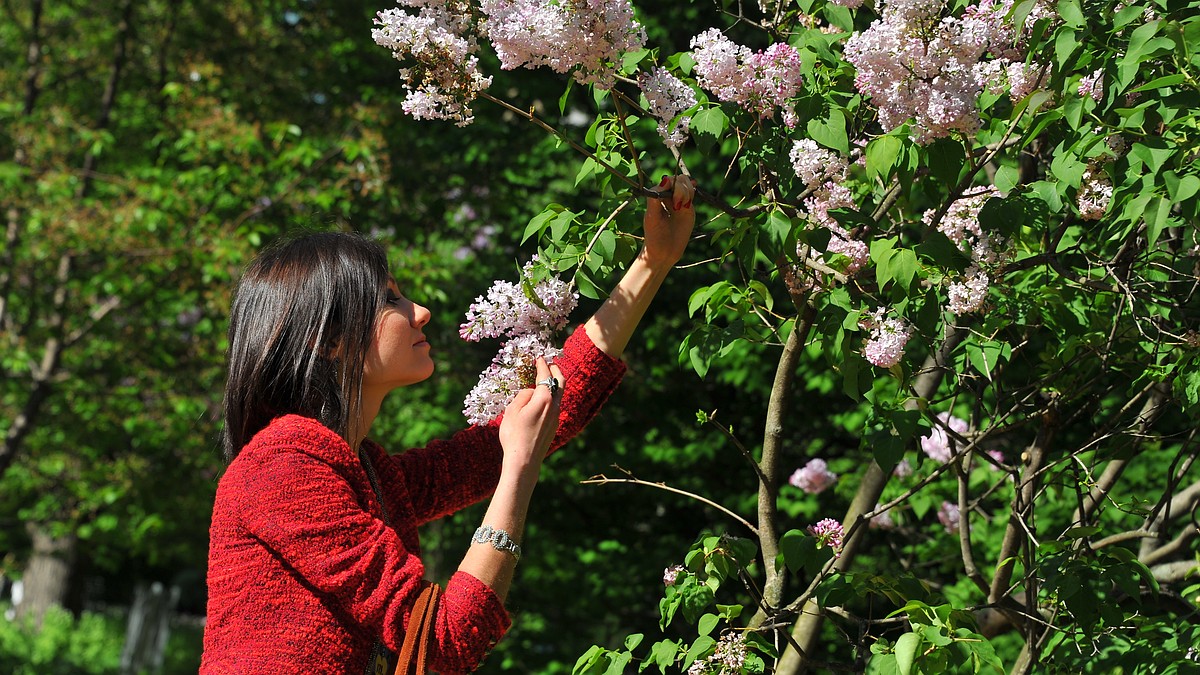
x: 531, y: 421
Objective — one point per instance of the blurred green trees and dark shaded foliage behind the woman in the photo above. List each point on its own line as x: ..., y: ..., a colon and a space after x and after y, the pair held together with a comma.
x: 148, y: 150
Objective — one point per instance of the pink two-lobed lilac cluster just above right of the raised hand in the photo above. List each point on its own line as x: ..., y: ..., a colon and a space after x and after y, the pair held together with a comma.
x: 760, y: 82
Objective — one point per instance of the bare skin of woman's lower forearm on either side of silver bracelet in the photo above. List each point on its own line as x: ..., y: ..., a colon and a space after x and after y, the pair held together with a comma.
x: 507, y: 512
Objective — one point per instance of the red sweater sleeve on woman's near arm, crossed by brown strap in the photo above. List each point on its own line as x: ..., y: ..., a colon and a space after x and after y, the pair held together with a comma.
x: 308, y: 513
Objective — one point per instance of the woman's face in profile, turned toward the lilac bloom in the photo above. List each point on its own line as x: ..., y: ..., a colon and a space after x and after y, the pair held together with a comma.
x: 399, y: 353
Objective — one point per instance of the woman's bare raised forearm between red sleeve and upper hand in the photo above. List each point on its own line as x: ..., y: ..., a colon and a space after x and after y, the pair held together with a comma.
x: 614, y: 324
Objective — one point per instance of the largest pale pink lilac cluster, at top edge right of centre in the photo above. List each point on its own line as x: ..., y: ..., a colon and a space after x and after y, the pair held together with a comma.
x: 919, y: 64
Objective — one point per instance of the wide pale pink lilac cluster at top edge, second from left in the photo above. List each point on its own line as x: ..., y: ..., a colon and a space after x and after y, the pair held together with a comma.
x: 585, y: 38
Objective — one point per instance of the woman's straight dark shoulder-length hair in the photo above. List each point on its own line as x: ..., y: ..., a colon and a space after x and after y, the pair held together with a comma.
x: 302, y: 322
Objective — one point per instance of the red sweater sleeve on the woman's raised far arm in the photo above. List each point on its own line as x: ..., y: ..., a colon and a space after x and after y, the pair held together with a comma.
x: 454, y: 474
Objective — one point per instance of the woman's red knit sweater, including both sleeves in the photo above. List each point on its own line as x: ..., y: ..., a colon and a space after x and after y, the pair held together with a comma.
x: 304, y: 576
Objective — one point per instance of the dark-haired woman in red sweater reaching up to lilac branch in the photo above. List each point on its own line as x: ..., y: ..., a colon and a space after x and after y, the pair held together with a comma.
x: 315, y: 555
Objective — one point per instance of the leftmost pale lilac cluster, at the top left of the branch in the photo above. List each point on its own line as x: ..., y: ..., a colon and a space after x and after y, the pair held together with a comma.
x: 445, y: 76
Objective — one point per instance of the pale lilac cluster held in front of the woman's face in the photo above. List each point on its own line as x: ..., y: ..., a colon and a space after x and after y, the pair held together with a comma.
x: 527, y: 315
